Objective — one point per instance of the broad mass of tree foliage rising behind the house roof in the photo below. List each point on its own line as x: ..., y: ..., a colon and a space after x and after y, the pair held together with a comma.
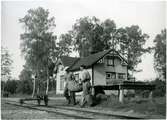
x: 90, y: 35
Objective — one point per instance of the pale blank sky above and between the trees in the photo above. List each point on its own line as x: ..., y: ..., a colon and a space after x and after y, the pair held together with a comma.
x: 149, y: 15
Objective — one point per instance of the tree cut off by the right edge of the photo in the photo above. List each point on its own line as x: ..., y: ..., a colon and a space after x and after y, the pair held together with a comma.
x: 160, y: 53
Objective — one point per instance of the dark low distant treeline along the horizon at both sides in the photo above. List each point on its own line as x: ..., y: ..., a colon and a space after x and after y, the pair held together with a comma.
x: 26, y: 87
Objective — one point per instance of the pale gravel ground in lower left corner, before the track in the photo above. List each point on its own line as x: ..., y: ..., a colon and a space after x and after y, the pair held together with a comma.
x: 15, y: 112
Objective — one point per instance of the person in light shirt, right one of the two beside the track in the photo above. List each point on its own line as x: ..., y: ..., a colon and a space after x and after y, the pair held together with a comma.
x: 86, y: 85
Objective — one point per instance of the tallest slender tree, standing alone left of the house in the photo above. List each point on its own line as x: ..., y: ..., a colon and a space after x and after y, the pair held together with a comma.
x: 38, y: 42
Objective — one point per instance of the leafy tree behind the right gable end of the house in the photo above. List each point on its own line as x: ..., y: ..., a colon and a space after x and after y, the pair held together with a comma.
x: 131, y: 41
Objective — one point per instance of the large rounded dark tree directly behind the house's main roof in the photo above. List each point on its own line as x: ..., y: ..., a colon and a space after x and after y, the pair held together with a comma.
x: 91, y: 36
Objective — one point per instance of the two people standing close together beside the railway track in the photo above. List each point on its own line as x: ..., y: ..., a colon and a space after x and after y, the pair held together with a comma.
x: 73, y: 86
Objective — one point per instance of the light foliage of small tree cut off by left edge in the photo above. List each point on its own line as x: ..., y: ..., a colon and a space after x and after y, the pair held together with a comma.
x: 6, y: 64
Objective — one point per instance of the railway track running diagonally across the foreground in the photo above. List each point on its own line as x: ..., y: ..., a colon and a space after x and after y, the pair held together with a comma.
x: 76, y: 113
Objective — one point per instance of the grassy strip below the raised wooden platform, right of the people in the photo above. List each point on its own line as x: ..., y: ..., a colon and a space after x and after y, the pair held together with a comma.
x: 156, y: 107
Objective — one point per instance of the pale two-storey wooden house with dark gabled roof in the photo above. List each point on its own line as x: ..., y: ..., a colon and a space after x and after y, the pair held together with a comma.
x: 106, y: 68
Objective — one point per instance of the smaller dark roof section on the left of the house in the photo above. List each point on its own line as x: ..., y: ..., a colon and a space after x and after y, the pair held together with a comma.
x: 68, y: 61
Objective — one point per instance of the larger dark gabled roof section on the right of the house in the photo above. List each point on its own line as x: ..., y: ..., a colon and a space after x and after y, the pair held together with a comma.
x: 90, y: 60
